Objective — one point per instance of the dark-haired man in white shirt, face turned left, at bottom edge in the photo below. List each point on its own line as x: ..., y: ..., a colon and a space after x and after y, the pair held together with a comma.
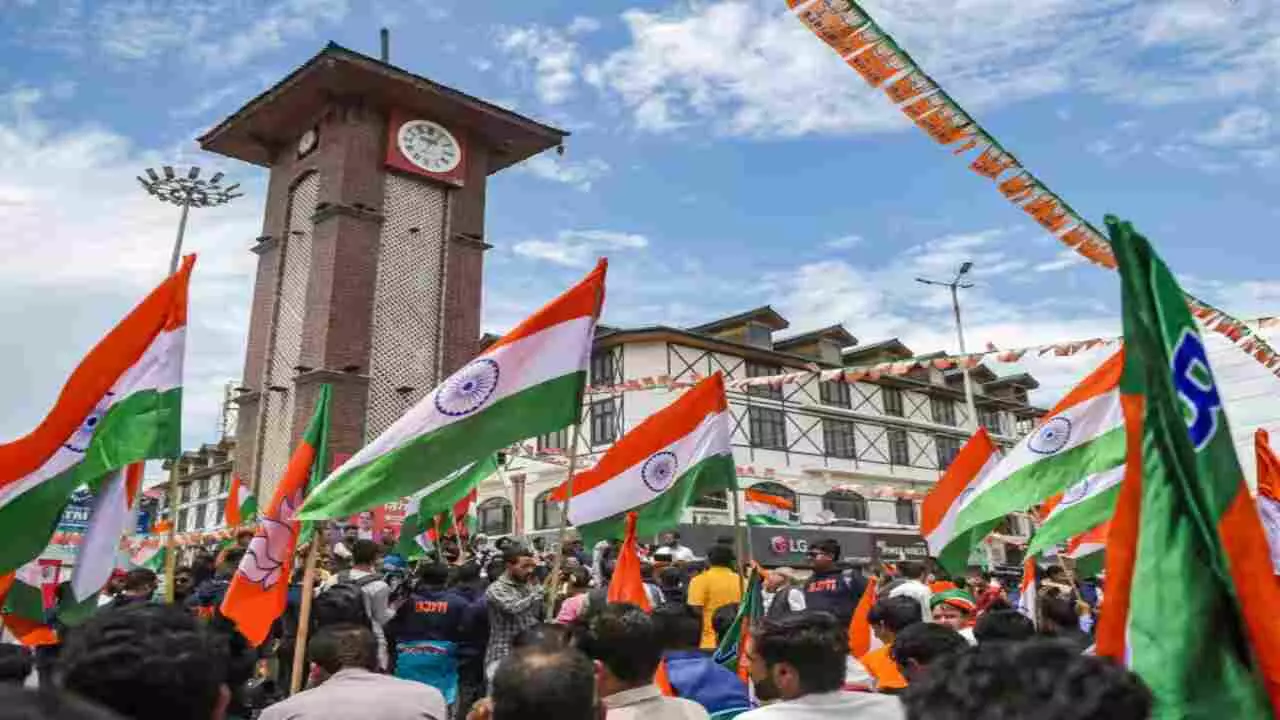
x: 799, y: 662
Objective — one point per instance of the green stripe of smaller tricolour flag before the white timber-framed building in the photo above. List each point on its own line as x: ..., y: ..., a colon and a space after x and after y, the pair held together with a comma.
x: 714, y: 475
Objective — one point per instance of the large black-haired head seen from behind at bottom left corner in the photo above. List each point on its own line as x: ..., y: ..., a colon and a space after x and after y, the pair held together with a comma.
x: 147, y: 662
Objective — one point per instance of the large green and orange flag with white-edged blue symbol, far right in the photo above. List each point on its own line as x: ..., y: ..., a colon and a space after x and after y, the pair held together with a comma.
x: 1185, y: 520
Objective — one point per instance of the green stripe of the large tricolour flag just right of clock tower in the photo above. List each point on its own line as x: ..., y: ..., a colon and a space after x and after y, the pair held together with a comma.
x: 542, y: 409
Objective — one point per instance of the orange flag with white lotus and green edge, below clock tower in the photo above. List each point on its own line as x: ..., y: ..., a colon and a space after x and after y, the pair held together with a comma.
x: 260, y: 586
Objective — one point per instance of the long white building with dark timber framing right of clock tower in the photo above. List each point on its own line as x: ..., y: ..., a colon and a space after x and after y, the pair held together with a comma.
x: 856, y: 458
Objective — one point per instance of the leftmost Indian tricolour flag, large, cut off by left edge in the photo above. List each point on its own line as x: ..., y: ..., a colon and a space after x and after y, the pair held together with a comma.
x: 124, y: 404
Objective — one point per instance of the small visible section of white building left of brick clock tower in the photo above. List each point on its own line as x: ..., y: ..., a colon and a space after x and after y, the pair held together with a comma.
x: 204, y: 481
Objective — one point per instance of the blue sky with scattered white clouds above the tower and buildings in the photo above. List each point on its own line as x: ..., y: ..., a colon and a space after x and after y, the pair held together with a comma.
x: 721, y: 156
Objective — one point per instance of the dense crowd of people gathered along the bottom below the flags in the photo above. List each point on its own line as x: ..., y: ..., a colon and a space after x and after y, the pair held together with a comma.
x: 497, y: 632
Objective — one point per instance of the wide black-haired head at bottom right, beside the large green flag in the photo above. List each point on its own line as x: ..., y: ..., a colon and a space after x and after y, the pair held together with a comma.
x: 1041, y: 680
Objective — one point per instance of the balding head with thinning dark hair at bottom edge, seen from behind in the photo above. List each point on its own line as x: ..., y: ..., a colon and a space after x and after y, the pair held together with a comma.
x: 541, y: 683
